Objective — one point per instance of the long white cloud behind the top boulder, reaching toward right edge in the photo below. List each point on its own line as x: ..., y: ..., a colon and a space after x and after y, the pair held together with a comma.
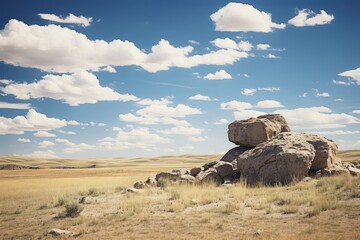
x: 316, y: 118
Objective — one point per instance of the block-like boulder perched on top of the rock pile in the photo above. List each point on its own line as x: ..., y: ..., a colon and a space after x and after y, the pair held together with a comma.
x: 253, y: 131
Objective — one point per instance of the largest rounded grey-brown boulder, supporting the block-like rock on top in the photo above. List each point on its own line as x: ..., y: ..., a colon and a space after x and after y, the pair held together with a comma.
x: 280, y: 160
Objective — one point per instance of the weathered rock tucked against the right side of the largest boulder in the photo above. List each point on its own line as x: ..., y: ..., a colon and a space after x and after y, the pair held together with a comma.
x: 326, y: 150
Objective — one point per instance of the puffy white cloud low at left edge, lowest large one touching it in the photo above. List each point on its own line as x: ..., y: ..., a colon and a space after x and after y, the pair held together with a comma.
x: 33, y: 121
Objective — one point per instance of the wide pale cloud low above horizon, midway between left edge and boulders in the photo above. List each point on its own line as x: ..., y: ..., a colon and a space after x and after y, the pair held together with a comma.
x: 135, y: 138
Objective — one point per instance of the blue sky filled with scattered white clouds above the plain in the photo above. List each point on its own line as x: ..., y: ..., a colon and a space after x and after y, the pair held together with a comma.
x: 149, y: 78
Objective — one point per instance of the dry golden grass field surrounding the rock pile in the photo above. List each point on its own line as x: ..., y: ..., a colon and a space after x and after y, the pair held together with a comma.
x: 33, y: 202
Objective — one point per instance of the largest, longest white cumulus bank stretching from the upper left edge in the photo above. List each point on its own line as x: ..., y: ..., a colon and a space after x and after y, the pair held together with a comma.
x: 34, y: 46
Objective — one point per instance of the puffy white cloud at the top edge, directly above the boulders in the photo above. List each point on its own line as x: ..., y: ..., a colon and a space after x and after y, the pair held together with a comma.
x: 239, y: 17
